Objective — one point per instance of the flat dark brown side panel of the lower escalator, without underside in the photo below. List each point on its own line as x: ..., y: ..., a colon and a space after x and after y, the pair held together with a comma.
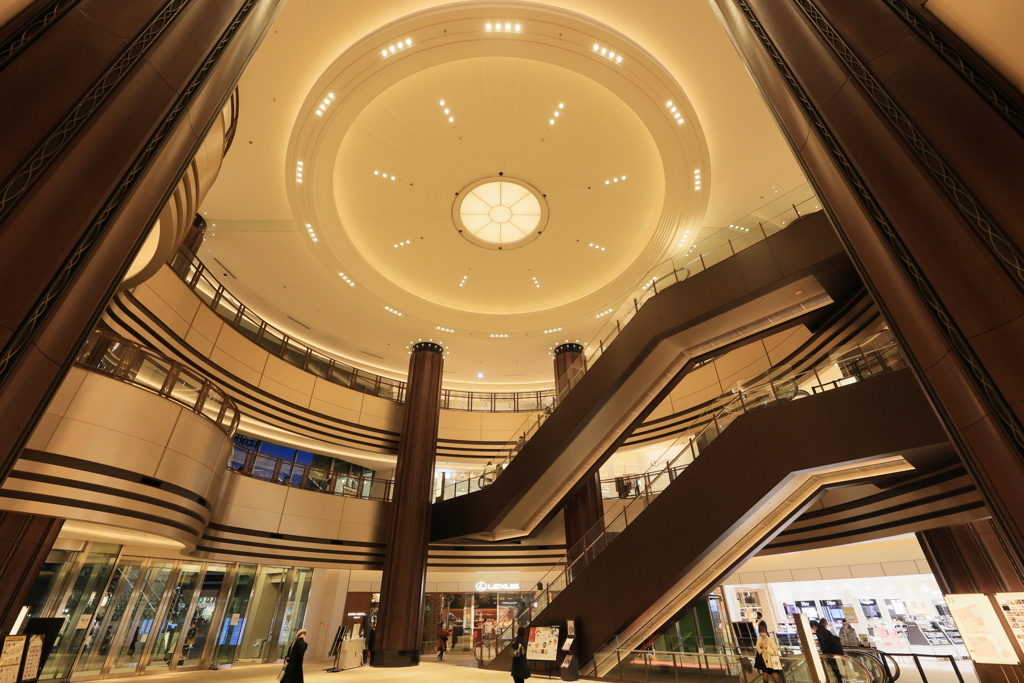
x: 884, y: 416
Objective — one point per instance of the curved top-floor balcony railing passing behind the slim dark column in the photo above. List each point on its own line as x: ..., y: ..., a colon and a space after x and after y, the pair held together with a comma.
x: 197, y: 277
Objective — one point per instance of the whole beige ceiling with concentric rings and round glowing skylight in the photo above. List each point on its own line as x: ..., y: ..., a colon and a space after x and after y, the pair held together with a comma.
x: 344, y: 229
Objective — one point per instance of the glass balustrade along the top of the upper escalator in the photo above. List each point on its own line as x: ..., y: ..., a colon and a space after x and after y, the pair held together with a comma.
x: 747, y: 232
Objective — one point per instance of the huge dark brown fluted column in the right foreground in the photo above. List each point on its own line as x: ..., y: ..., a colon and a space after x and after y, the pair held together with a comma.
x: 917, y: 152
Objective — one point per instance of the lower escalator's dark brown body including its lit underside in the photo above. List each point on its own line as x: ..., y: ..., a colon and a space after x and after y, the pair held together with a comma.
x: 769, y: 462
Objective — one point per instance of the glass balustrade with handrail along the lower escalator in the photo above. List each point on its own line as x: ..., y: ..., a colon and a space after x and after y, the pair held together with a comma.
x: 863, y: 364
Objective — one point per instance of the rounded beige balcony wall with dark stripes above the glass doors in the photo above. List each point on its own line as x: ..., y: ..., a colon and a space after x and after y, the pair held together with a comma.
x: 112, y: 453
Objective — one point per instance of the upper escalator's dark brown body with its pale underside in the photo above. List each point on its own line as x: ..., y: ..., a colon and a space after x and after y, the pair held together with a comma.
x: 770, y: 285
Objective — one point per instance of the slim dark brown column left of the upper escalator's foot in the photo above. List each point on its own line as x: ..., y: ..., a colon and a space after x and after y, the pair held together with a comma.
x: 400, y: 621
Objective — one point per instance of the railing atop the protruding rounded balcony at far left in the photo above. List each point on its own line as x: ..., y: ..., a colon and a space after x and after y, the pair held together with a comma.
x: 130, y: 362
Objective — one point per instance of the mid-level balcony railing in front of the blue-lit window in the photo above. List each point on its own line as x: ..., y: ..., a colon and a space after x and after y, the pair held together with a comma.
x: 288, y: 474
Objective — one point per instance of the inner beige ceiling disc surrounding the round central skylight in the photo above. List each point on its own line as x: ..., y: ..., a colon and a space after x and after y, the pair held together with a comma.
x: 503, y: 108
